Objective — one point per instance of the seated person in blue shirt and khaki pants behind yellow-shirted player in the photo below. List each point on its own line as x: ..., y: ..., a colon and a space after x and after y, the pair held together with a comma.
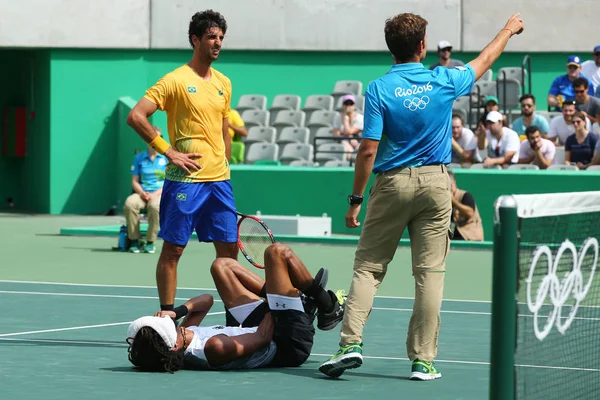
x: 147, y: 179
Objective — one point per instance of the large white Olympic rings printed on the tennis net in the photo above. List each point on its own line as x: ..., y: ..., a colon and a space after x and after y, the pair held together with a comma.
x: 560, y: 290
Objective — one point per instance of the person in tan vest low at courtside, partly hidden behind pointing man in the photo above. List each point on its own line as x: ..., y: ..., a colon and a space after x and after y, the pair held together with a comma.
x: 465, y: 221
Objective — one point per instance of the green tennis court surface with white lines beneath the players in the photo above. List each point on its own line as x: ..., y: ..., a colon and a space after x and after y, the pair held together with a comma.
x: 67, y: 302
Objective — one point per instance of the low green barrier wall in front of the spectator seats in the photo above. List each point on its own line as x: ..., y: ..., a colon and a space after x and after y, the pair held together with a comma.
x: 314, y: 191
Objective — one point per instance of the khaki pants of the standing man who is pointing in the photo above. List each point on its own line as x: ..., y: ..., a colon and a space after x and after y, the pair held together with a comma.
x: 420, y: 199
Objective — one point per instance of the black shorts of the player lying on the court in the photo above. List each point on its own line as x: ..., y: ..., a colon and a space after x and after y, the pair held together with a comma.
x: 294, y: 336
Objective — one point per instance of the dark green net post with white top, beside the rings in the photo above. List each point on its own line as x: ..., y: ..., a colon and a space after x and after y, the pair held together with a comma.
x: 504, y: 302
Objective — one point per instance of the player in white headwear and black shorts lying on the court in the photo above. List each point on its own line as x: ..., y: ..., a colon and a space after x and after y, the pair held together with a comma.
x: 278, y: 332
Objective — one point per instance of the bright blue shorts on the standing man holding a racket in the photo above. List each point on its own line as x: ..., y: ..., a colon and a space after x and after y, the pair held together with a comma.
x: 207, y: 207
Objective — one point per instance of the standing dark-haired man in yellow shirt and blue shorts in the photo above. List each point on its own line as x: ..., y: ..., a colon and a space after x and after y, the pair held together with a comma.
x: 197, y: 193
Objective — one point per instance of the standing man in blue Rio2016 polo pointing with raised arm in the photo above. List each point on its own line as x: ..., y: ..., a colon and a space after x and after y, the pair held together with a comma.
x: 407, y: 142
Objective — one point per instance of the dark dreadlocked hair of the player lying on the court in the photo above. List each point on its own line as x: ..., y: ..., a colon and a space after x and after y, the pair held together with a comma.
x: 149, y: 352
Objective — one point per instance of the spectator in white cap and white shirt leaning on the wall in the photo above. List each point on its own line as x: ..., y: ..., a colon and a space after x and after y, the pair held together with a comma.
x: 502, y: 143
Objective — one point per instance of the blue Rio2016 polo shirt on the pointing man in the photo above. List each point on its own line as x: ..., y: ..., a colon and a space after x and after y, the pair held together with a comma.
x: 409, y: 111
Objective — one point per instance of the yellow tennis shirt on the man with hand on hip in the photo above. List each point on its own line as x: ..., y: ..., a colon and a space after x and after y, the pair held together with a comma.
x: 195, y: 111
